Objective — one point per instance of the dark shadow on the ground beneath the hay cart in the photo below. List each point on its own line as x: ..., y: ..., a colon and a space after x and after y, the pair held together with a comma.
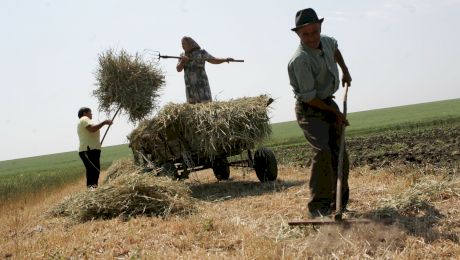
x: 227, y: 190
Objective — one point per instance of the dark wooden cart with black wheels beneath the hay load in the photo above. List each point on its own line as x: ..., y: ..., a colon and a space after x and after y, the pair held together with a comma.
x: 178, y: 157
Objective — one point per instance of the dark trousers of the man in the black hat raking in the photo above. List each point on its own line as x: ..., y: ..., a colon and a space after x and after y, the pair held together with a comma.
x: 323, y: 133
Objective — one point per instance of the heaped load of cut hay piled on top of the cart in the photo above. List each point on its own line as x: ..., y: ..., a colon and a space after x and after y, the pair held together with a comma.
x: 207, y: 129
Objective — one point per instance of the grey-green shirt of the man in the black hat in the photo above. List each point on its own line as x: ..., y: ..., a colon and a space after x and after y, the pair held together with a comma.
x: 314, y: 72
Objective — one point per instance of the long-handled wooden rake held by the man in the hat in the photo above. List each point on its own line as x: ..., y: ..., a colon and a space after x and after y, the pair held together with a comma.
x: 337, y: 219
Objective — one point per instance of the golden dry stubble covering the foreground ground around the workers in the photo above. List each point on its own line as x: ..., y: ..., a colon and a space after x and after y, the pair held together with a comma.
x: 245, y: 219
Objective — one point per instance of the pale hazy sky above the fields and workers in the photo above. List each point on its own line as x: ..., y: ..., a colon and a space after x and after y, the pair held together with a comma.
x: 398, y: 52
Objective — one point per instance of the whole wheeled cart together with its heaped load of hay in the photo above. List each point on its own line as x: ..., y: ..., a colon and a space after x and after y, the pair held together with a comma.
x: 186, y: 137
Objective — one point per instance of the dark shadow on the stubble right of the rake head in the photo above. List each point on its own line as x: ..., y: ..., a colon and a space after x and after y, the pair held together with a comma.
x: 419, y: 221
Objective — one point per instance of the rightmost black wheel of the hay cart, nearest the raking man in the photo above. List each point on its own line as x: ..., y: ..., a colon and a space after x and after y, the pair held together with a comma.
x: 265, y: 165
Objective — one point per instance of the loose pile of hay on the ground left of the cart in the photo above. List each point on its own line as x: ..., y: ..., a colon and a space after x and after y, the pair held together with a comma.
x: 126, y: 196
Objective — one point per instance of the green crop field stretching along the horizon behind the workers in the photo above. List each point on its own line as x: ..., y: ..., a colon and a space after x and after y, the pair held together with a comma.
x: 34, y: 174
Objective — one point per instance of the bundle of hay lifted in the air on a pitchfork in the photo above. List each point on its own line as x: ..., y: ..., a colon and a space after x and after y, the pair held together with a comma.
x: 127, y: 82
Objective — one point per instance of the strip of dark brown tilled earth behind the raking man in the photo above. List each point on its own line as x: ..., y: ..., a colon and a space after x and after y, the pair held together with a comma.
x: 438, y: 146
